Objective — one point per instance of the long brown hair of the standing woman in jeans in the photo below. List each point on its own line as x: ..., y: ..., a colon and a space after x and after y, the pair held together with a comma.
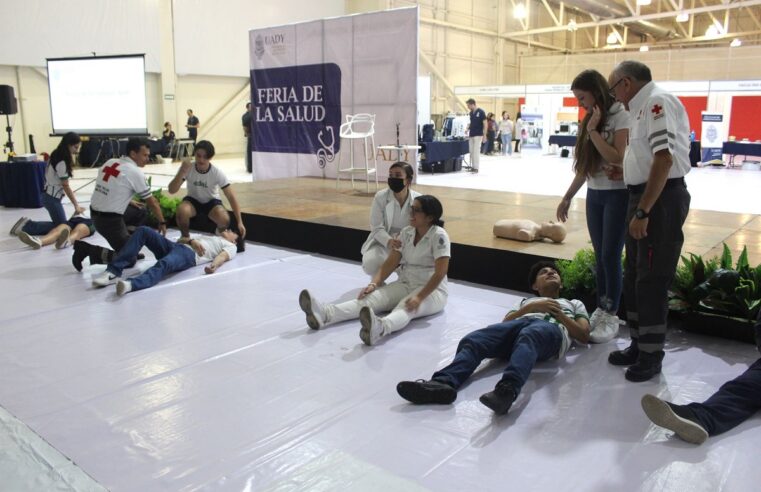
x: 587, y: 157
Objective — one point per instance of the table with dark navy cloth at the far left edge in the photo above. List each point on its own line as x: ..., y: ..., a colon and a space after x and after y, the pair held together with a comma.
x: 21, y: 184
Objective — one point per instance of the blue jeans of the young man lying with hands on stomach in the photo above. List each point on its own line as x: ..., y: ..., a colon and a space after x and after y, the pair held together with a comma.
x: 523, y: 341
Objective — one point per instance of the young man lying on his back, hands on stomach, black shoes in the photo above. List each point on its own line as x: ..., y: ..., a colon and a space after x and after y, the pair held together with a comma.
x: 537, y: 329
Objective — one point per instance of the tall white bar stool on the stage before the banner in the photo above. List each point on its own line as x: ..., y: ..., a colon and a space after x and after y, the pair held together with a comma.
x: 358, y: 126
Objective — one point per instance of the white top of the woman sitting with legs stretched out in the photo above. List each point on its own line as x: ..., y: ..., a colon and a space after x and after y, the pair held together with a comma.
x: 418, y: 261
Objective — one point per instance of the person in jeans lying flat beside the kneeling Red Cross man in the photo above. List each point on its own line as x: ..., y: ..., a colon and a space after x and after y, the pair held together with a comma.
x: 171, y: 257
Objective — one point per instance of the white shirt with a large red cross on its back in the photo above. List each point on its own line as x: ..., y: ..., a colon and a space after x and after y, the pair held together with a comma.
x: 117, y: 182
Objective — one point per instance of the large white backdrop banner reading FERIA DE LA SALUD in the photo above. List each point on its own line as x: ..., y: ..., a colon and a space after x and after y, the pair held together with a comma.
x: 305, y: 79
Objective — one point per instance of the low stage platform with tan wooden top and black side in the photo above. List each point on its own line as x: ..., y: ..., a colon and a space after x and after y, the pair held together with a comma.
x: 312, y: 215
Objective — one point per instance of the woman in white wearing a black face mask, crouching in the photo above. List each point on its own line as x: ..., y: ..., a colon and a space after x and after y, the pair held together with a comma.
x: 389, y: 215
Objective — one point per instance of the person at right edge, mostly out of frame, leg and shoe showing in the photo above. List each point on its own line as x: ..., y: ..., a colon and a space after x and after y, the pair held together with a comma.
x: 734, y: 403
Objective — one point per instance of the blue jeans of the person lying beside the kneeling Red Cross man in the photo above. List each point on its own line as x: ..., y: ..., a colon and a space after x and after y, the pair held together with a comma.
x: 172, y: 257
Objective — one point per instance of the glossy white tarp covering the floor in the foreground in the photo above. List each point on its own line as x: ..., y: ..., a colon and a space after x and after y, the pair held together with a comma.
x: 216, y: 383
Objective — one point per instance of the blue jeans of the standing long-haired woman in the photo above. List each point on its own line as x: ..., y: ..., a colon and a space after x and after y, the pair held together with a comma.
x: 606, y: 221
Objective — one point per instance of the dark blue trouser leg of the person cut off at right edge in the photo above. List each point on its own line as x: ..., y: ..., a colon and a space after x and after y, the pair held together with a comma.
x: 735, y: 402
